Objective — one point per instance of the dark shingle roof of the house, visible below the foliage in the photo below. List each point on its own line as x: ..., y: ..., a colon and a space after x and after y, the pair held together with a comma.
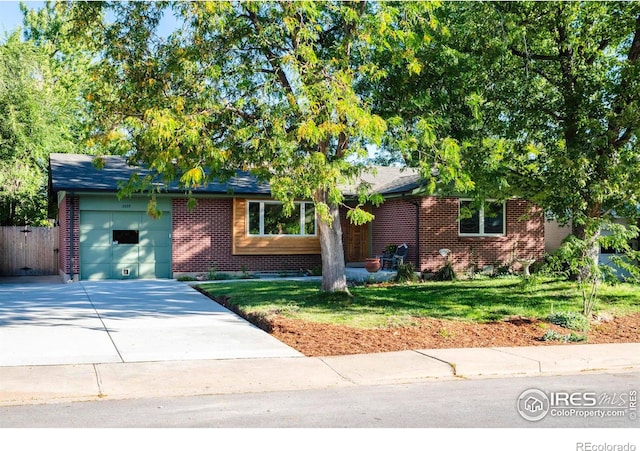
x: 71, y: 172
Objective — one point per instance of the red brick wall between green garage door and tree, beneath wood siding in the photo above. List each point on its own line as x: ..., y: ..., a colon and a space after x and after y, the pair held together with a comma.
x: 202, y: 239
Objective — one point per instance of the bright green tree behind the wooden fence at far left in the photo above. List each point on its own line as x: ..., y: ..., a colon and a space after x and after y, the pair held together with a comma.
x: 41, y: 110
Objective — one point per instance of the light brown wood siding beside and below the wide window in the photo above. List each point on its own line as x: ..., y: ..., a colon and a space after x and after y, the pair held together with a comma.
x: 244, y: 244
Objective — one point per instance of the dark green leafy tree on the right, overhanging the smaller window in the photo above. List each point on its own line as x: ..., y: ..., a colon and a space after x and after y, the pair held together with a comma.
x: 531, y: 99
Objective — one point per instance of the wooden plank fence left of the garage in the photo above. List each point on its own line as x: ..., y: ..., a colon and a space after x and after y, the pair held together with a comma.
x: 31, y: 253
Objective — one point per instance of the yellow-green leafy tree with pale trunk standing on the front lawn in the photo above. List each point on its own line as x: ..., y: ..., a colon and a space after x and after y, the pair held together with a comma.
x: 263, y: 86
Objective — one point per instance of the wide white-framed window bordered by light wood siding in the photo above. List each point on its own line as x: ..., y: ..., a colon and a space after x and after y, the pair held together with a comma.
x: 268, y: 218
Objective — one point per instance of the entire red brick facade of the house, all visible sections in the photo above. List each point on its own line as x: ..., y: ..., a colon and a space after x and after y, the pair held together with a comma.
x: 202, y: 238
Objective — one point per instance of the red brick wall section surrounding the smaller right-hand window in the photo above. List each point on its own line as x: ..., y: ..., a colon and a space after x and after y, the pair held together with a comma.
x: 524, y: 237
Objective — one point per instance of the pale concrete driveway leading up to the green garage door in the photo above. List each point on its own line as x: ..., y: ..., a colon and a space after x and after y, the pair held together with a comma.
x: 122, y: 321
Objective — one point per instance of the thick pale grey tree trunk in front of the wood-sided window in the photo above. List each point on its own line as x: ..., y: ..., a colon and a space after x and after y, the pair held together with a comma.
x: 332, y: 251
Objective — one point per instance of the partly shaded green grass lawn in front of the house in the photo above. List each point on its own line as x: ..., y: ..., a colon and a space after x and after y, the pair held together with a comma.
x: 385, y: 305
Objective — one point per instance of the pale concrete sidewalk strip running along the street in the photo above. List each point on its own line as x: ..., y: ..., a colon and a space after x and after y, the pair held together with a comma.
x: 89, y: 382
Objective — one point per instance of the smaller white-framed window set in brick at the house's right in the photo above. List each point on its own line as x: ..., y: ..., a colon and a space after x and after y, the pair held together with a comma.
x: 487, y: 221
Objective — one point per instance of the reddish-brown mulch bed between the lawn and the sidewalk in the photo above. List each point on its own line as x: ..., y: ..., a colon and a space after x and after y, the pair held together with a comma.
x: 313, y: 339
